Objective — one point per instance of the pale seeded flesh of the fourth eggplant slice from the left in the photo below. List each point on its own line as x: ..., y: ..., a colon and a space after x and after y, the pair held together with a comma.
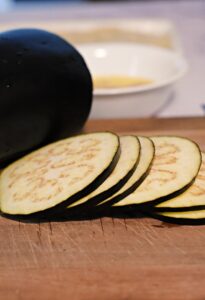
x: 176, y: 163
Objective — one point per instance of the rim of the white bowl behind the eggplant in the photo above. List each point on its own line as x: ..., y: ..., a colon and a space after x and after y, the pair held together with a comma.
x: 138, y: 89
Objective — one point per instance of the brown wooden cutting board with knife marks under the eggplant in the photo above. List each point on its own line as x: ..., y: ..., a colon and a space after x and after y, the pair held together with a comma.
x: 107, y: 258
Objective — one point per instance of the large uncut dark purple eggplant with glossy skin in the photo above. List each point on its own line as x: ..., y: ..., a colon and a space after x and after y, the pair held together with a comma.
x: 45, y: 91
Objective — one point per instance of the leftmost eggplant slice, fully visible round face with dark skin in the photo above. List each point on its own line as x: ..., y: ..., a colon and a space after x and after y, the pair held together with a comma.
x: 58, y: 174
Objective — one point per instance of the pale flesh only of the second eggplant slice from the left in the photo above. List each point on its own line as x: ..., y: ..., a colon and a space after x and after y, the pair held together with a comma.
x: 130, y: 151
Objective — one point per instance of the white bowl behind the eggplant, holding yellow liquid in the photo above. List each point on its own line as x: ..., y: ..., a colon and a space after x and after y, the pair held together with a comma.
x: 163, y: 67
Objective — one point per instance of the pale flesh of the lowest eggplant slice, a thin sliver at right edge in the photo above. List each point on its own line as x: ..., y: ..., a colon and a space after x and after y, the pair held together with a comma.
x: 194, y: 215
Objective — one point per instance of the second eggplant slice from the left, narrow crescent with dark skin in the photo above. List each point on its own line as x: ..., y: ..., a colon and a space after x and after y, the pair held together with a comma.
x: 130, y: 153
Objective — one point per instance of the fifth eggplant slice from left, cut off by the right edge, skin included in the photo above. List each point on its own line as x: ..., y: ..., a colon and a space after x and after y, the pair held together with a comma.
x: 192, y: 199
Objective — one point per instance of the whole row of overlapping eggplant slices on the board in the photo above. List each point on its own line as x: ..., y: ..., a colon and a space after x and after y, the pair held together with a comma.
x: 99, y: 173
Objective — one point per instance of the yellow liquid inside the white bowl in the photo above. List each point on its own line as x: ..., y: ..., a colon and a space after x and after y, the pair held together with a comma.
x: 115, y: 81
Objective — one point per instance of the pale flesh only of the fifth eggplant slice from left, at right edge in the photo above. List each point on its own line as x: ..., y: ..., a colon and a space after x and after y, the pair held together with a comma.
x: 193, y: 196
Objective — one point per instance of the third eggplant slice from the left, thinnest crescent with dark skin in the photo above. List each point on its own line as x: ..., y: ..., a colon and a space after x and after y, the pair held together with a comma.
x: 142, y: 170
